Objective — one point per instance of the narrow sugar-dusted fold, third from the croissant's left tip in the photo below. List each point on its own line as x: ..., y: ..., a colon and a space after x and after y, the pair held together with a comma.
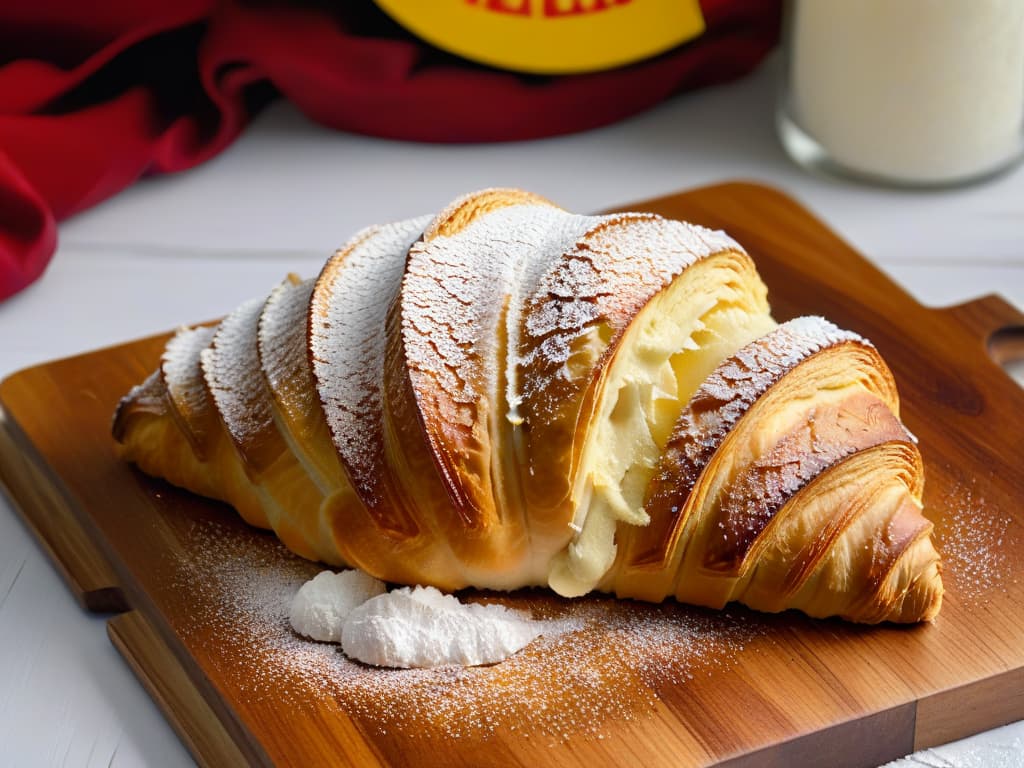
x: 231, y: 366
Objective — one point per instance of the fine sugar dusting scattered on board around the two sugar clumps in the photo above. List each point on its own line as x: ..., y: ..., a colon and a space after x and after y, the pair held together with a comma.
x: 601, y: 661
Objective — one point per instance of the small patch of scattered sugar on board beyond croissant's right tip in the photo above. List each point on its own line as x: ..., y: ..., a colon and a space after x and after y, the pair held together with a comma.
x: 972, y: 539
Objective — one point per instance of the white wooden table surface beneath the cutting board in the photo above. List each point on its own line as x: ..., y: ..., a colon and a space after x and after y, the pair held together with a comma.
x: 192, y: 246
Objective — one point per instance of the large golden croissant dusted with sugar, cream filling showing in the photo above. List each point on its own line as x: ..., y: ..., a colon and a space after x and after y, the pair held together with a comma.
x: 507, y: 395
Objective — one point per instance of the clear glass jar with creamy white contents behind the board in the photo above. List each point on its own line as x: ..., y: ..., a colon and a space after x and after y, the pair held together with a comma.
x: 906, y: 93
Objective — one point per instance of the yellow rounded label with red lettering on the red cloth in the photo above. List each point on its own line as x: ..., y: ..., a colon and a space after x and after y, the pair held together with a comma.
x: 550, y: 37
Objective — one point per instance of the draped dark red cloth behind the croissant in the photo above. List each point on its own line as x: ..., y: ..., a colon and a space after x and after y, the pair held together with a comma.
x: 93, y: 96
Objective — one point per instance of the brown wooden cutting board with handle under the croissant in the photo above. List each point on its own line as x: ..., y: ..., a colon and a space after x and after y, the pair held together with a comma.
x: 201, y: 595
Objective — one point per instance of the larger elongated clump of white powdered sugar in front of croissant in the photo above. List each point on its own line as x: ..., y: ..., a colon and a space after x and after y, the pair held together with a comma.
x: 424, y: 628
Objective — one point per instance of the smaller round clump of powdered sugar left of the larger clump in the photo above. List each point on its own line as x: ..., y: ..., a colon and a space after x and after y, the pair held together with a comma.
x: 324, y: 604
